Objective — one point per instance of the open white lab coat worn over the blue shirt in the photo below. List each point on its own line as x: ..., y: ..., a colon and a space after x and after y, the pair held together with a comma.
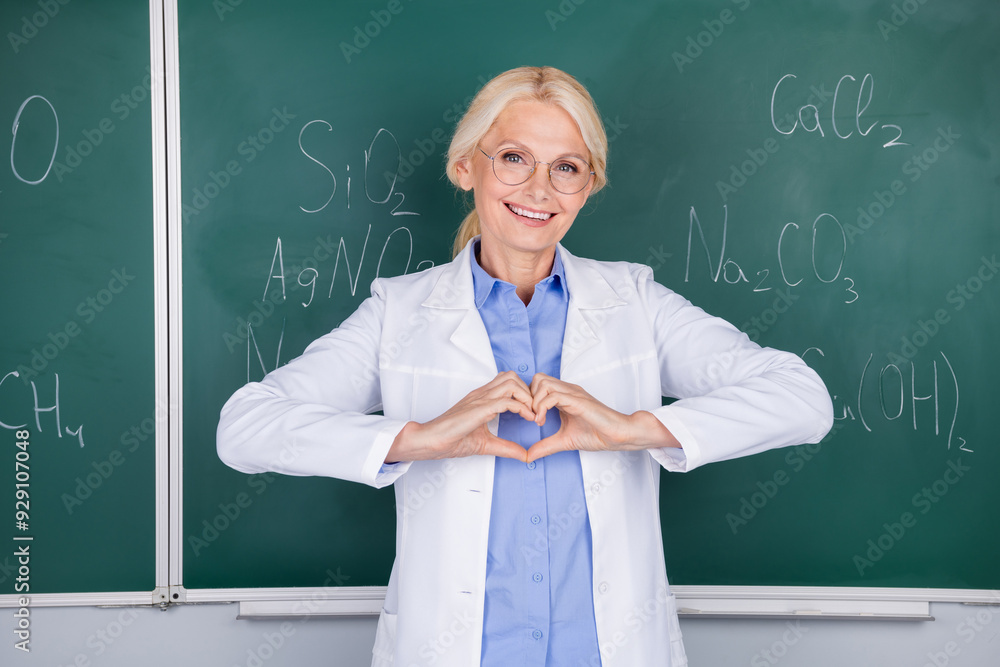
x: 418, y: 345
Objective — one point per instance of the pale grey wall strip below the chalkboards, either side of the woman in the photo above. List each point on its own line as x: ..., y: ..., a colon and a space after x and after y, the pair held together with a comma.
x: 211, y: 636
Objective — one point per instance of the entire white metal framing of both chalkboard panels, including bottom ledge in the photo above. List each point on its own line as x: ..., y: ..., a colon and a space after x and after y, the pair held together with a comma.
x: 710, y: 601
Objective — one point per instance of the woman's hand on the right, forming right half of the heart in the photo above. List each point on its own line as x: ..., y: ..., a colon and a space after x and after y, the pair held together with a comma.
x: 588, y: 424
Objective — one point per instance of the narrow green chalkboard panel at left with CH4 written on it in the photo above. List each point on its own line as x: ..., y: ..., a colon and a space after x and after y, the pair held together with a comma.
x: 76, y: 272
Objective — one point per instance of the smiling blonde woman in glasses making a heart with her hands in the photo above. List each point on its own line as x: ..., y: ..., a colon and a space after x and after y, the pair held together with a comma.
x: 523, y: 428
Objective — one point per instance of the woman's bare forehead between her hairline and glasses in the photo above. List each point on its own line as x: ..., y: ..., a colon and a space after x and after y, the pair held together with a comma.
x: 545, y: 128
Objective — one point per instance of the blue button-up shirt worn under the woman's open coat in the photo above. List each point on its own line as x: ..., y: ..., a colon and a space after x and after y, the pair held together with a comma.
x: 539, y: 568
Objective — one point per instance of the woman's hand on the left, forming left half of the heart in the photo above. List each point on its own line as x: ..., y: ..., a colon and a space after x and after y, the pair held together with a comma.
x: 462, y: 430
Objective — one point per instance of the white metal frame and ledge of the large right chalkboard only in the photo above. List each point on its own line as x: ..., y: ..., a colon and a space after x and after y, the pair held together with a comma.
x: 705, y: 601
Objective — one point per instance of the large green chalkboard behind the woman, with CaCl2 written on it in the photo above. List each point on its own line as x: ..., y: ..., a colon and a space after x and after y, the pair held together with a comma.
x: 825, y: 176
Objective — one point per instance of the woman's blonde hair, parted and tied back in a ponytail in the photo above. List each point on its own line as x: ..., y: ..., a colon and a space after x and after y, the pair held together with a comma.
x: 537, y: 84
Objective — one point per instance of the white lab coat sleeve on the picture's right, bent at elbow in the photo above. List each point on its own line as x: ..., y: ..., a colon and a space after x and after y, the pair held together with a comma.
x: 735, y: 397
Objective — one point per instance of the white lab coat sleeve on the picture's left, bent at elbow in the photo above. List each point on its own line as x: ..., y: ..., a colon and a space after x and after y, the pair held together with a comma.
x: 310, y: 416
